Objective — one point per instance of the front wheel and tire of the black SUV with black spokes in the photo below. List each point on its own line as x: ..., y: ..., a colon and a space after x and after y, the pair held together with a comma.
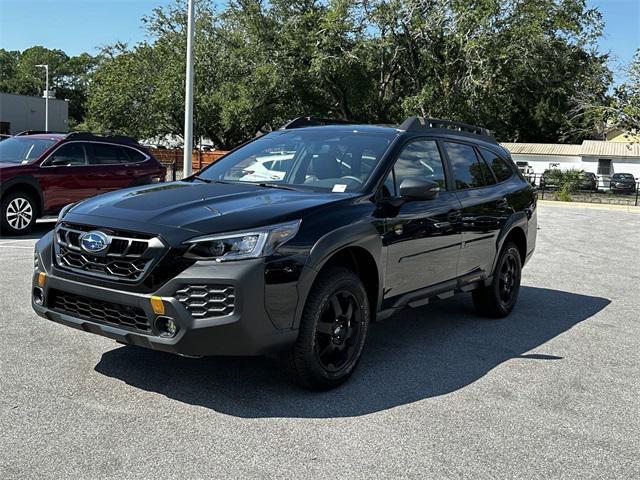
x: 331, y: 336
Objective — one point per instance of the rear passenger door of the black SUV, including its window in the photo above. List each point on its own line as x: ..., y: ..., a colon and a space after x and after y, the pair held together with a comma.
x: 485, y: 207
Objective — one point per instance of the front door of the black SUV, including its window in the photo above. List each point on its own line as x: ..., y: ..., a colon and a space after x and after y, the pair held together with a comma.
x: 422, y: 236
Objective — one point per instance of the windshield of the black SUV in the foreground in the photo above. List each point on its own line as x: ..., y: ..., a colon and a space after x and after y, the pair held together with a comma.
x: 323, y: 161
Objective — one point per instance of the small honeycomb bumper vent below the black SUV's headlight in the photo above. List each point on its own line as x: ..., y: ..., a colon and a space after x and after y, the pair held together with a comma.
x: 207, y: 300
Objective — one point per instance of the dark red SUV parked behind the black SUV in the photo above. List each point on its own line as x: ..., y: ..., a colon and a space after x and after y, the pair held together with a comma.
x: 42, y: 172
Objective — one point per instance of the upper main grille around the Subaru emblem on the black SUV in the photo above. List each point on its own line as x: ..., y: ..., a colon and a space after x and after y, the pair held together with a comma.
x: 127, y: 258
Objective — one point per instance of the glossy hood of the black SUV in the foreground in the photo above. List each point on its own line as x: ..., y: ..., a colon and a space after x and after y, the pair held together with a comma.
x: 198, y: 207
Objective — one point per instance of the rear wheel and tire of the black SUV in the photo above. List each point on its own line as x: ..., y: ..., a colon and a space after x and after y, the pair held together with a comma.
x: 498, y: 299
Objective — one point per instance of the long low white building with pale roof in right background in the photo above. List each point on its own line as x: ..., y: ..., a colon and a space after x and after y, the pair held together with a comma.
x: 601, y: 158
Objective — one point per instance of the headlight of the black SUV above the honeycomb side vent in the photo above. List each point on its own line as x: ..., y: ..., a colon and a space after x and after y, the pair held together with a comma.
x: 241, y: 245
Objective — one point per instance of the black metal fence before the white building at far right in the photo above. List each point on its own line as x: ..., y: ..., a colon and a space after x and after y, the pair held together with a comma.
x: 603, y: 190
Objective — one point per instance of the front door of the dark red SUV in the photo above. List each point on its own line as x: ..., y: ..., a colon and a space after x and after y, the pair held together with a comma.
x: 66, y: 173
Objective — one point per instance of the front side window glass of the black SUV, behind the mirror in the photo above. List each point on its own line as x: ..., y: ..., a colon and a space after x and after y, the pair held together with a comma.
x: 420, y: 159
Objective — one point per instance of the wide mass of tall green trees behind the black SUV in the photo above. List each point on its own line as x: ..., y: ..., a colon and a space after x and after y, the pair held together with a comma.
x: 516, y: 67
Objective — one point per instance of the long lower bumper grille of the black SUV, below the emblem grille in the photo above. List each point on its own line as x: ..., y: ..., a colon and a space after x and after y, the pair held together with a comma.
x: 99, y: 310
